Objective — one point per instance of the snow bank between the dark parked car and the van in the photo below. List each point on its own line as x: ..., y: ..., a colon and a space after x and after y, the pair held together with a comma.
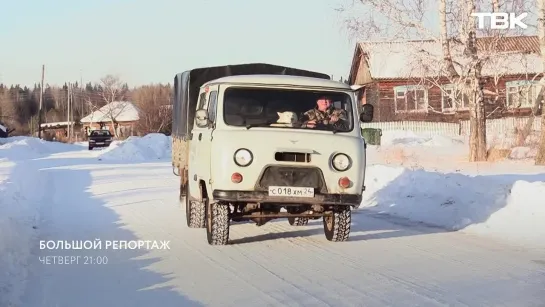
x: 153, y: 146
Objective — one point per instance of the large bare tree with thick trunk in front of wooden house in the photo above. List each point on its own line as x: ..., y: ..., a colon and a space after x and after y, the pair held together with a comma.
x: 461, y: 58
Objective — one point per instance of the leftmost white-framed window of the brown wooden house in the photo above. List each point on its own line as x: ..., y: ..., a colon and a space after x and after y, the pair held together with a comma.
x: 412, y: 98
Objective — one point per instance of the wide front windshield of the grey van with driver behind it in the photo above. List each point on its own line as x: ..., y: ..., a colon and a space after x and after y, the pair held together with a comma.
x: 288, y: 108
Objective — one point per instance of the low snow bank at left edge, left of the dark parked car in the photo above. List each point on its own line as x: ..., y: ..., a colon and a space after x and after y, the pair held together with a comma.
x: 23, y: 148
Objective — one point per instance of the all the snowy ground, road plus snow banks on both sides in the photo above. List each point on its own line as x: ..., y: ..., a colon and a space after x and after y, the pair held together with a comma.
x: 400, y: 252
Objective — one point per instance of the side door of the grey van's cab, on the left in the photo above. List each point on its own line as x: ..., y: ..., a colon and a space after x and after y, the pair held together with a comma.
x: 202, y: 137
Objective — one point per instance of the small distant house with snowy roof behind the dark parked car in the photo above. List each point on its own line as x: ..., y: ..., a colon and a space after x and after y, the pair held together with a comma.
x: 124, y: 115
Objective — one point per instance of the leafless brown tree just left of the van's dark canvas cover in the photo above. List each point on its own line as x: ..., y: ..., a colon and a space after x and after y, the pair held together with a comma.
x: 153, y: 102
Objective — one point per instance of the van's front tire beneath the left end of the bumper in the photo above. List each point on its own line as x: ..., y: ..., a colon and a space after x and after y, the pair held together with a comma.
x: 217, y: 223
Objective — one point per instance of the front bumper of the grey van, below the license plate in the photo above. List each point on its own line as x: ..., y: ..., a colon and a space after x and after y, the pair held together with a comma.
x: 263, y: 197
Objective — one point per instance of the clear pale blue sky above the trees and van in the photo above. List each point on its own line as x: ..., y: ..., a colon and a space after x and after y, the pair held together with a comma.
x: 150, y: 41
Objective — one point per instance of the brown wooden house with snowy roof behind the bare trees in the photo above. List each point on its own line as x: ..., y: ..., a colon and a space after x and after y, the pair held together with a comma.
x: 396, y: 79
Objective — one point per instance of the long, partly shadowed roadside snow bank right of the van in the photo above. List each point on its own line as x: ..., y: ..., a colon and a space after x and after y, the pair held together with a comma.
x: 489, y: 204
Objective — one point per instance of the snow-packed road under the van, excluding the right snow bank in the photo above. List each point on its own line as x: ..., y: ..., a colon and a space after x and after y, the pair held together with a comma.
x: 387, y: 261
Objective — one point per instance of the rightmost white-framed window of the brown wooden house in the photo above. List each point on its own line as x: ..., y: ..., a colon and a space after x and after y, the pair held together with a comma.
x: 522, y: 94
